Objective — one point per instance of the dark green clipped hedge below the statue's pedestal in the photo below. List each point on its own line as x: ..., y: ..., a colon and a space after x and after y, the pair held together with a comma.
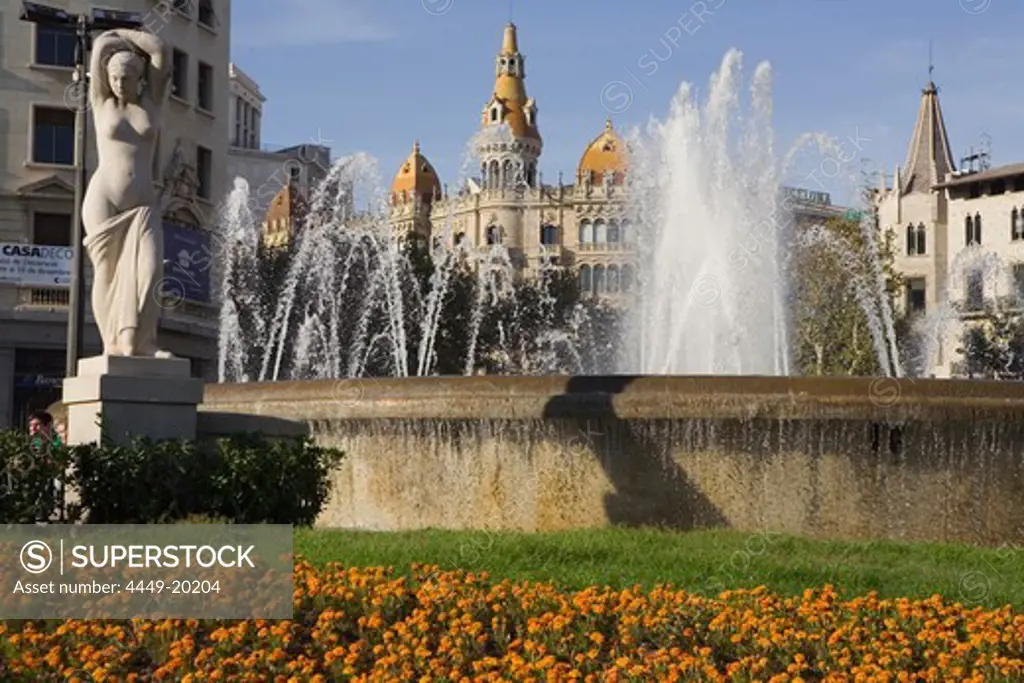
x: 245, y: 479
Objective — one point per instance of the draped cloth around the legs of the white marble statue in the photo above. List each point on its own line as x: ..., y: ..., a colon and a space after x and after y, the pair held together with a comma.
x: 129, y: 298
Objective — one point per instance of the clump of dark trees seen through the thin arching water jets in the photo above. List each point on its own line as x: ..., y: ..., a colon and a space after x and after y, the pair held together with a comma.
x: 375, y: 303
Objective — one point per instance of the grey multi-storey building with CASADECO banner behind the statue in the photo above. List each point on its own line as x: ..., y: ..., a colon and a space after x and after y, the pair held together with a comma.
x: 37, y: 188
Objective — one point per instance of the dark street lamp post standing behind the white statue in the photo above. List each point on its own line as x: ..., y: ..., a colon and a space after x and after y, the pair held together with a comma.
x: 83, y: 25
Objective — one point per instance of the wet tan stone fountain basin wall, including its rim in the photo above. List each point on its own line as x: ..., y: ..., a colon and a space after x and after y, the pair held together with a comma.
x: 849, y: 458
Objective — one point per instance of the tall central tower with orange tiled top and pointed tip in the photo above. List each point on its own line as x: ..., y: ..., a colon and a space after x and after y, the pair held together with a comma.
x: 508, y: 156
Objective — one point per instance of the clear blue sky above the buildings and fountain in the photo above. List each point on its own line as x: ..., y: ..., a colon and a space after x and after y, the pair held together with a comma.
x: 375, y: 75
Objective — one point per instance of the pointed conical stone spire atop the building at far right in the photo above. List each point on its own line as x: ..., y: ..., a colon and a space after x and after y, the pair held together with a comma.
x: 929, y: 158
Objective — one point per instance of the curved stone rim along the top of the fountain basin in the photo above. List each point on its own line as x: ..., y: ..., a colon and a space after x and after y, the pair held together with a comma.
x: 628, y: 398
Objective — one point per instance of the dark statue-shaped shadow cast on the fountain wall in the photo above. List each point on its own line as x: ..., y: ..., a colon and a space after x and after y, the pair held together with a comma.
x: 652, y: 490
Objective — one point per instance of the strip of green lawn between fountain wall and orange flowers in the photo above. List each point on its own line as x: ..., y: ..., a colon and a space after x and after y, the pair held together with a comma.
x: 700, y: 562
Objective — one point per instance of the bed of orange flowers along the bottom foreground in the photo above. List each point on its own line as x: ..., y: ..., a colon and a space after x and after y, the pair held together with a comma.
x: 373, y: 624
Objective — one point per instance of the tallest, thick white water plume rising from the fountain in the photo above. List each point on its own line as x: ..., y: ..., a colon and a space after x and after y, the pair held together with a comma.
x: 713, y: 290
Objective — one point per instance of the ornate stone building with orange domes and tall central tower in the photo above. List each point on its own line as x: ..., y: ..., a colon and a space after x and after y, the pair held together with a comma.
x: 584, y: 225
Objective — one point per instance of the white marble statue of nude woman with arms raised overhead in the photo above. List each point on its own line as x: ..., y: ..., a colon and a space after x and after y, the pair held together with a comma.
x: 130, y: 80
